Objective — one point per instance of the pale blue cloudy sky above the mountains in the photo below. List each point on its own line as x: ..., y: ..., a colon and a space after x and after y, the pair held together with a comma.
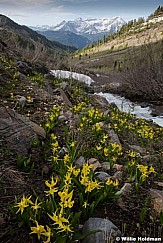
x: 52, y: 12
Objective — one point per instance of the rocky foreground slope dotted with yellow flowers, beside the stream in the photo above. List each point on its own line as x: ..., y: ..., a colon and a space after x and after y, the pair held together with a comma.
x: 46, y: 123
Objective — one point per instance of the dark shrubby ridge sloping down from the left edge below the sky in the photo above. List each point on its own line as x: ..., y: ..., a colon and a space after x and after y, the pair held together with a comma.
x: 32, y: 45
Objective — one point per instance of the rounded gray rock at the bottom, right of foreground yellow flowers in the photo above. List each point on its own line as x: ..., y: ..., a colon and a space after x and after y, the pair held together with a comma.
x: 107, y: 231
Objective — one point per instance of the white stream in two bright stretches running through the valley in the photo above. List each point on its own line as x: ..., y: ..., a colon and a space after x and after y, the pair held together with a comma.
x: 122, y: 103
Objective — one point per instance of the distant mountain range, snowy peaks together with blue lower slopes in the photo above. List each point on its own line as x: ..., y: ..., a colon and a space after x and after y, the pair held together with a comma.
x: 84, y: 31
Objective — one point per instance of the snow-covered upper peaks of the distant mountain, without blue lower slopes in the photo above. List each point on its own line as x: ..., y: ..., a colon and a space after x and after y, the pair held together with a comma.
x: 88, y: 26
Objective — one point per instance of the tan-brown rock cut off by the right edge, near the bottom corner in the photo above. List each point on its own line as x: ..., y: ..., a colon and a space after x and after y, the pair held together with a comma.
x: 157, y: 200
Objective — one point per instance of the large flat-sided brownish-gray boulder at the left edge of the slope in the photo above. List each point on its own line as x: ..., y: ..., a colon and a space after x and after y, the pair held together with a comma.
x: 17, y: 131
